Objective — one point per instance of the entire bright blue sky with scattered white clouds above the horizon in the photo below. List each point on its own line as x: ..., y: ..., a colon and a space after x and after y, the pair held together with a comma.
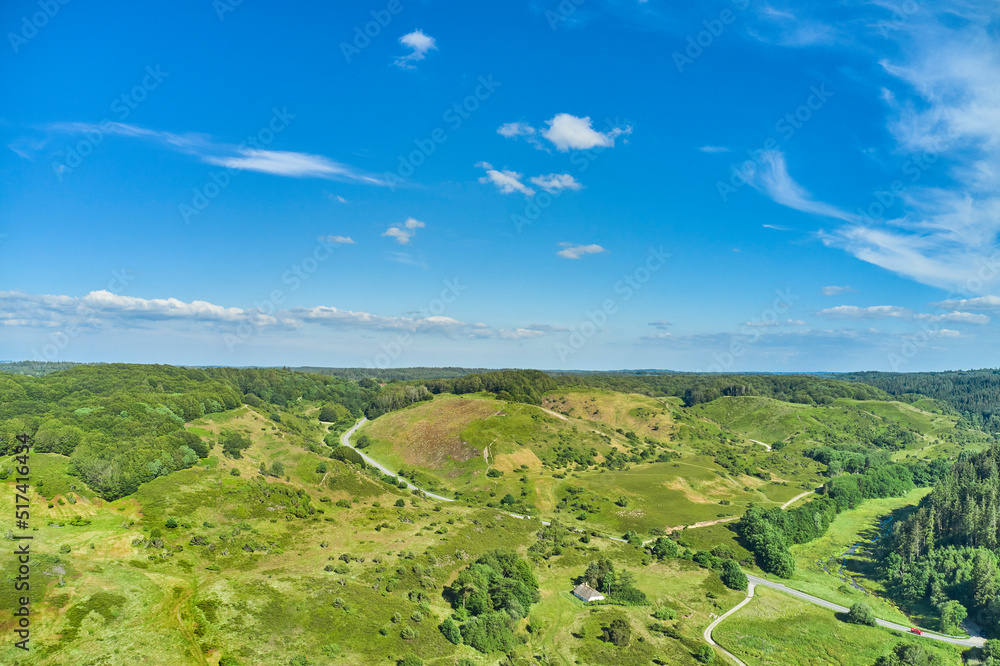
x: 591, y: 184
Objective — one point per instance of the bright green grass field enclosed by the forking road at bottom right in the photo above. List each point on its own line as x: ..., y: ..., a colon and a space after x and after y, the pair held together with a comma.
x: 777, y: 629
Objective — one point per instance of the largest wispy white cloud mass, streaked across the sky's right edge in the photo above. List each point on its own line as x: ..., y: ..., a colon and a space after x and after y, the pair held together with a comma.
x: 941, y: 99
